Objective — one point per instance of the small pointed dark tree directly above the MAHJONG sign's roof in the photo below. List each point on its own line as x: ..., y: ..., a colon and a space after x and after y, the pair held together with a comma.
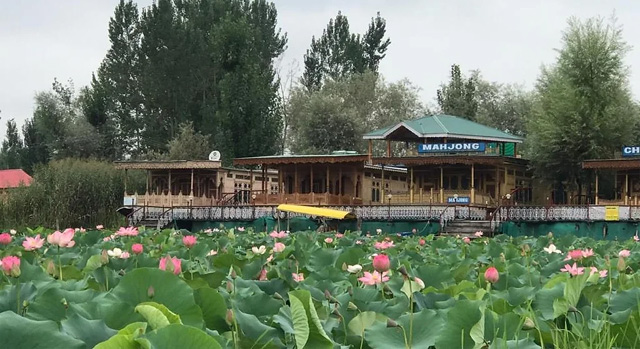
x: 458, y: 97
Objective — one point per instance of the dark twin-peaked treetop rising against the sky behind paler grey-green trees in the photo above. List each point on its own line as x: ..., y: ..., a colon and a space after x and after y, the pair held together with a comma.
x: 339, y: 53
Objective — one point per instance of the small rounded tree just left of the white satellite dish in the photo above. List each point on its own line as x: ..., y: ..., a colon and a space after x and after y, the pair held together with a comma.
x: 189, y: 144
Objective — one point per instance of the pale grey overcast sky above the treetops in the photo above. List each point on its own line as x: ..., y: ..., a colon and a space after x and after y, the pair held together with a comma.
x: 507, y: 41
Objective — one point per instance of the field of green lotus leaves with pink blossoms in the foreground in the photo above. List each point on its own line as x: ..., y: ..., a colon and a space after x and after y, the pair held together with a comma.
x: 241, y: 289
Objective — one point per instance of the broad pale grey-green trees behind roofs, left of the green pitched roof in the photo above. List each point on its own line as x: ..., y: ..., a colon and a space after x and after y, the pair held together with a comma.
x: 336, y: 116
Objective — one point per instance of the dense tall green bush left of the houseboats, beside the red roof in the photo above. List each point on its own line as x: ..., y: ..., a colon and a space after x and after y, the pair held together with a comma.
x: 67, y: 193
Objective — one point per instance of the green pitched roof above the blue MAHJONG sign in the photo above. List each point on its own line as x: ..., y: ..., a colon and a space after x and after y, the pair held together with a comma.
x: 441, y: 126
